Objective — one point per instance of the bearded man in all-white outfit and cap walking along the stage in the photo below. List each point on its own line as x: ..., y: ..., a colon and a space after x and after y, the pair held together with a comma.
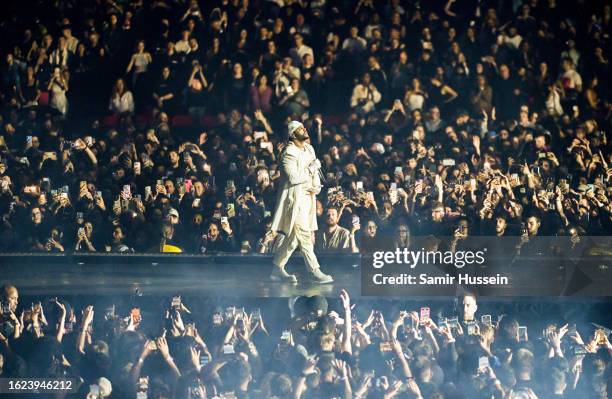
x: 295, y: 214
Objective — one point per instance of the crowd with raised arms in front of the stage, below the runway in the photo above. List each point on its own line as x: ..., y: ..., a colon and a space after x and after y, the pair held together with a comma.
x: 314, y: 349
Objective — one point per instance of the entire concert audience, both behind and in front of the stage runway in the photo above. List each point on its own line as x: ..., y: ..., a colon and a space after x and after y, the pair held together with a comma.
x: 156, y: 127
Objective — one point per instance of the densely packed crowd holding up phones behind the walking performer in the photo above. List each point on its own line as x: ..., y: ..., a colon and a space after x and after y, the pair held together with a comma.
x: 445, y: 120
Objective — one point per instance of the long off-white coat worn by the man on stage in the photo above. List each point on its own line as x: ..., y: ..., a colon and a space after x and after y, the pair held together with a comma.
x: 295, y: 179
